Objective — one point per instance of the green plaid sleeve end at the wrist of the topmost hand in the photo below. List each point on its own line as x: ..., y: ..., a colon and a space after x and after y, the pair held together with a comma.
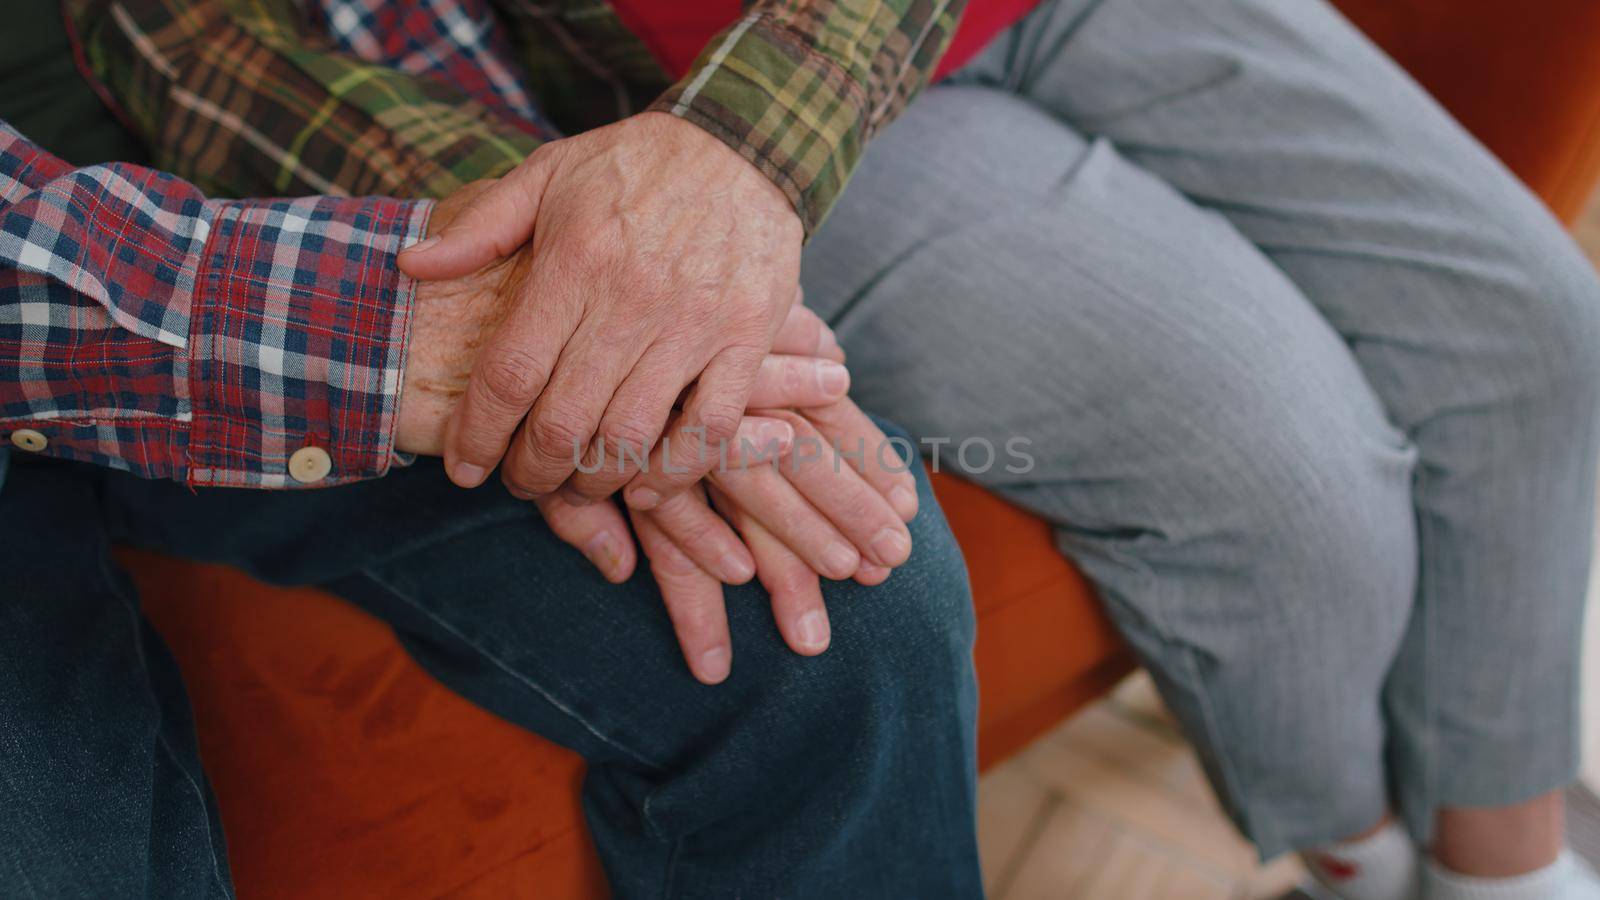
x: 799, y: 87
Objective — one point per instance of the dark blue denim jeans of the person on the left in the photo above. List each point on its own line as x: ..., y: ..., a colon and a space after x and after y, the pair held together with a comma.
x: 852, y: 774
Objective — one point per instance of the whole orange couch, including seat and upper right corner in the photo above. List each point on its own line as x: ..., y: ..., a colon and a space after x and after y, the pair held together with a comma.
x: 343, y: 771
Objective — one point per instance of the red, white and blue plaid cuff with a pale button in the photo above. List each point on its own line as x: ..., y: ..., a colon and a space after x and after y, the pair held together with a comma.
x: 298, y: 339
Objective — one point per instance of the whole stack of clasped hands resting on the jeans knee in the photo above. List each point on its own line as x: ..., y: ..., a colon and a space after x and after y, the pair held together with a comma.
x: 638, y: 283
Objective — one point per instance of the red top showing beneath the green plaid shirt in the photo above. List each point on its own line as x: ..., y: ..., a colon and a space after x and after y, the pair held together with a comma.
x: 679, y: 30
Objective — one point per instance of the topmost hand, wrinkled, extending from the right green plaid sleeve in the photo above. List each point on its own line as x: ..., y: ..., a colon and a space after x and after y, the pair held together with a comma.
x: 650, y: 257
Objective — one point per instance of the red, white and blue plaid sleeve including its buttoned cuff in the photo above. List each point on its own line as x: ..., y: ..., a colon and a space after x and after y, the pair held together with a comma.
x: 150, y: 329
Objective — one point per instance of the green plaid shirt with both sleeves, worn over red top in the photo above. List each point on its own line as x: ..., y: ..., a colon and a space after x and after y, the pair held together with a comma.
x: 246, y: 98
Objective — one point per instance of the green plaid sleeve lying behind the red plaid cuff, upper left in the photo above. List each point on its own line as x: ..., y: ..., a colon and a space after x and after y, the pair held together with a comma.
x: 247, y: 100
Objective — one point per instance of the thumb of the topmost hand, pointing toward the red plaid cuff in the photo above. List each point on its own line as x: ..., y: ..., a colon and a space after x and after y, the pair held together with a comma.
x: 492, y: 225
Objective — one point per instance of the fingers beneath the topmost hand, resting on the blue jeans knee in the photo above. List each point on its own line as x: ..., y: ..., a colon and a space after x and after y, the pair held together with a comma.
x: 788, y: 516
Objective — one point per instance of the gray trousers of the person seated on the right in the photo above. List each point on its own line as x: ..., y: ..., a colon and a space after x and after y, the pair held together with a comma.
x: 1311, y: 385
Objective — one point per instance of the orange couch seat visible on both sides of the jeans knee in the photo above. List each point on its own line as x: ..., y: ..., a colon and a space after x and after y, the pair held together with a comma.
x: 343, y: 769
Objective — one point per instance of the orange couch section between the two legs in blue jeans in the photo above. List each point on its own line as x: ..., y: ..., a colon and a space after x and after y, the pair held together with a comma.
x: 343, y: 769
